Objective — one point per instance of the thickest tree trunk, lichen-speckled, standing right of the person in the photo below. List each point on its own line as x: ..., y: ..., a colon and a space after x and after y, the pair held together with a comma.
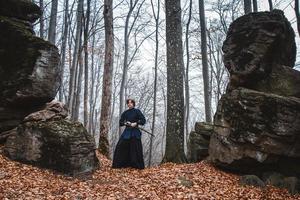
x: 175, y: 97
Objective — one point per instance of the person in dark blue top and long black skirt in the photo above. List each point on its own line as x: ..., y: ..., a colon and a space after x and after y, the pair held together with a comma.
x: 129, y: 150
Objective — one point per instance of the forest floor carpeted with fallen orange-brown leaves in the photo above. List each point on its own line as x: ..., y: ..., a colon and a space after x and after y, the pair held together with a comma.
x: 167, y: 181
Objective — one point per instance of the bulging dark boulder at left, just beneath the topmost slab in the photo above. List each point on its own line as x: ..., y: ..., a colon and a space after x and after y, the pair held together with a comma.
x: 28, y: 65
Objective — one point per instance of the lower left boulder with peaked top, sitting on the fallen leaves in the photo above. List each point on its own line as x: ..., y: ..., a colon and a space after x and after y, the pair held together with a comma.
x: 47, y: 139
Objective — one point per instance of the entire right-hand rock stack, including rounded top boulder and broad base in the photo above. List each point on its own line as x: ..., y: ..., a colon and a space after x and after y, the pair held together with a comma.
x: 257, y: 122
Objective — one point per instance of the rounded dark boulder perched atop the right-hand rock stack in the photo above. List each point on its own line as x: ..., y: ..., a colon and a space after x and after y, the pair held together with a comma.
x: 255, y: 43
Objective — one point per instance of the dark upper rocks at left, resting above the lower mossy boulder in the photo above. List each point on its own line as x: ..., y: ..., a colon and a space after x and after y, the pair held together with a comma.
x: 29, y: 73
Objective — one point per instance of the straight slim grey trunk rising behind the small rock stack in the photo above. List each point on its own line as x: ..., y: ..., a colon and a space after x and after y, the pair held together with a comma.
x: 205, y: 70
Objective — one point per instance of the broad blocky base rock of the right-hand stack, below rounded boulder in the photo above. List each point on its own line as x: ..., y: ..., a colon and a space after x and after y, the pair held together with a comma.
x: 256, y: 131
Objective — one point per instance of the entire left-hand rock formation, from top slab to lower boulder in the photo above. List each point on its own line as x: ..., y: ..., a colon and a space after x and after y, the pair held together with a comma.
x: 37, y: 132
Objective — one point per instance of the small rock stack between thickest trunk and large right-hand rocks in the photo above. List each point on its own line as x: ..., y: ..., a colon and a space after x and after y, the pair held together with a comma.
x: 199, y: 141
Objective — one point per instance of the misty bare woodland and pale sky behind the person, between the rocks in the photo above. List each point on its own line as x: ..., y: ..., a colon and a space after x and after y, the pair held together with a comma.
x: 170, y: 62
